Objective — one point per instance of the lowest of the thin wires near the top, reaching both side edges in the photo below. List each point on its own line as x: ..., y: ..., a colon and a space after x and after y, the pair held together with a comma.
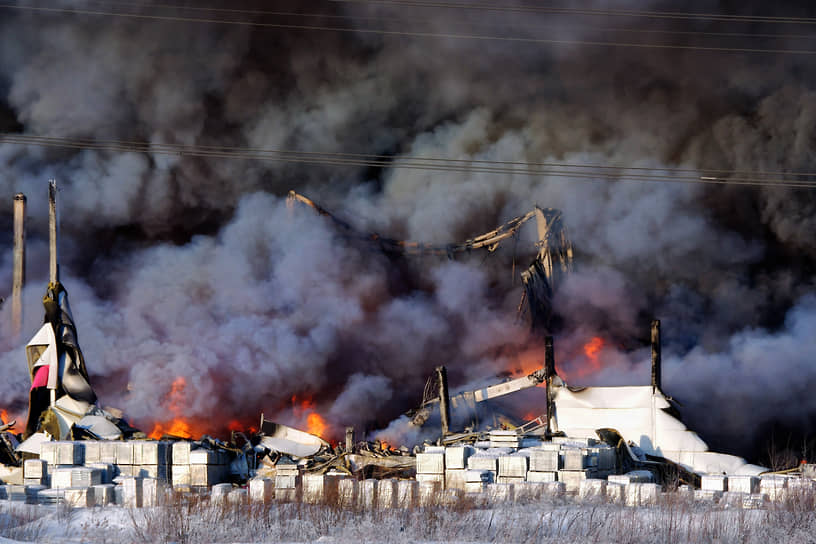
x: 408, y: 33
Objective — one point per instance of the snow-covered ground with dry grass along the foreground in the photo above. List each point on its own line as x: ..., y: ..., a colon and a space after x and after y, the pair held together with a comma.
x: 552, y: 520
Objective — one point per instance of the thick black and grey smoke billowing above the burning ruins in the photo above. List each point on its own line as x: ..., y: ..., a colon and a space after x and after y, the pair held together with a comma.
x: 189, y: 266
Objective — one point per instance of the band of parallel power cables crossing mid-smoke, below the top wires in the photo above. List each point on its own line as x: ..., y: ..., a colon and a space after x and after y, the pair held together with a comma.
x: 589, y: 172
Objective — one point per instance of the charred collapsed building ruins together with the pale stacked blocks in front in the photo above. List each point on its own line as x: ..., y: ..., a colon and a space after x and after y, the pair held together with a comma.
x: 623, y: 444
